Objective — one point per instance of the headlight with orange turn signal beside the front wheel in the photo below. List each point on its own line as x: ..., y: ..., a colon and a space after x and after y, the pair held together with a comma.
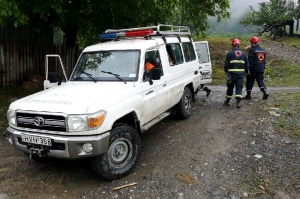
x: 85, y: 122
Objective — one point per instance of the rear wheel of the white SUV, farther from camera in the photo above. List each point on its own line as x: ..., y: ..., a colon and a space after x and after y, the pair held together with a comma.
x: 184, y: 107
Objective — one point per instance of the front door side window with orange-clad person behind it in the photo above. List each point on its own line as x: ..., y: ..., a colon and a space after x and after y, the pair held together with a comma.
x: 152, y: 60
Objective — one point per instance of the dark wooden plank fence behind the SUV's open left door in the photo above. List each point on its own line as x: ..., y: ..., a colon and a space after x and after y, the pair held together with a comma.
x: 20, y: 60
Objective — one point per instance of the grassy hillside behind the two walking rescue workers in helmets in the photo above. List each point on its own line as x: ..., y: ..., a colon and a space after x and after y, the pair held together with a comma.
x: 282, y: 61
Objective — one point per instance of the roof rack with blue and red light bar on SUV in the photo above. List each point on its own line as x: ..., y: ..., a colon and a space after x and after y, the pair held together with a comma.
x: 146, y: 31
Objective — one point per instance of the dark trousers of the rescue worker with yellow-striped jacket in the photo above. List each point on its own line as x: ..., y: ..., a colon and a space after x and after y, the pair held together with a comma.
x: 237, y: 82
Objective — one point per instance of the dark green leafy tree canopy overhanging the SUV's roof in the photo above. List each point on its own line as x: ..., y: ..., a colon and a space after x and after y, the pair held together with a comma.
x: 83, y: 20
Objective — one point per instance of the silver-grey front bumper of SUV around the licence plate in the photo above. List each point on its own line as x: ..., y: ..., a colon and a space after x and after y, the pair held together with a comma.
x: 66, y: 147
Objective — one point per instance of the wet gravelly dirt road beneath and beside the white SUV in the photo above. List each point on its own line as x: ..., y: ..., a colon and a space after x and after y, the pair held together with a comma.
x: 220, y: 152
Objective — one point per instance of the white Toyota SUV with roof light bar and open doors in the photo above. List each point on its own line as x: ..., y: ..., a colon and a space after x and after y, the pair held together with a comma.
x: 117, y: 90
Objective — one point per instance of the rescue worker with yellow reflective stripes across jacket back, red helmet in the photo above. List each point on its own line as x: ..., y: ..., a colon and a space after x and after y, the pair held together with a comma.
x: 236, y: 65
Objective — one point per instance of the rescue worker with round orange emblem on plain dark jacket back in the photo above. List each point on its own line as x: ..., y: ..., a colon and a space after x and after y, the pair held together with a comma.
x: 257, y: 65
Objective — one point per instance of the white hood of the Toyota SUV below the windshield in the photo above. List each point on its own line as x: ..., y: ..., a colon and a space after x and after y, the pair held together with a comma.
x: 70, y: 98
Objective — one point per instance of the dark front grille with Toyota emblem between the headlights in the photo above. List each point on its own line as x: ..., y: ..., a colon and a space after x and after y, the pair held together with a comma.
x: 47, y: 122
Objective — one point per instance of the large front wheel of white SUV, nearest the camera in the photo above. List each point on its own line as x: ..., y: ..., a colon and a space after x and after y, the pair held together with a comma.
x: 122, y: 155
